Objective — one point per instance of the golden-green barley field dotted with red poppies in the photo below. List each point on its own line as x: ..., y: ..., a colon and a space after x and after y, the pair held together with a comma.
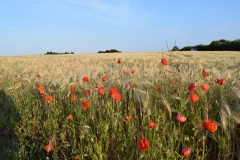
x: 124, y: 106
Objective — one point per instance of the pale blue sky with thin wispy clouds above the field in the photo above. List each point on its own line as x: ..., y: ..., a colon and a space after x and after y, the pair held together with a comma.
x: 87, y: 26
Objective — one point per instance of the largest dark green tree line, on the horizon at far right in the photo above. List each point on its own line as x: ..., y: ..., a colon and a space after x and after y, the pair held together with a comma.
x: 219, y: 45
